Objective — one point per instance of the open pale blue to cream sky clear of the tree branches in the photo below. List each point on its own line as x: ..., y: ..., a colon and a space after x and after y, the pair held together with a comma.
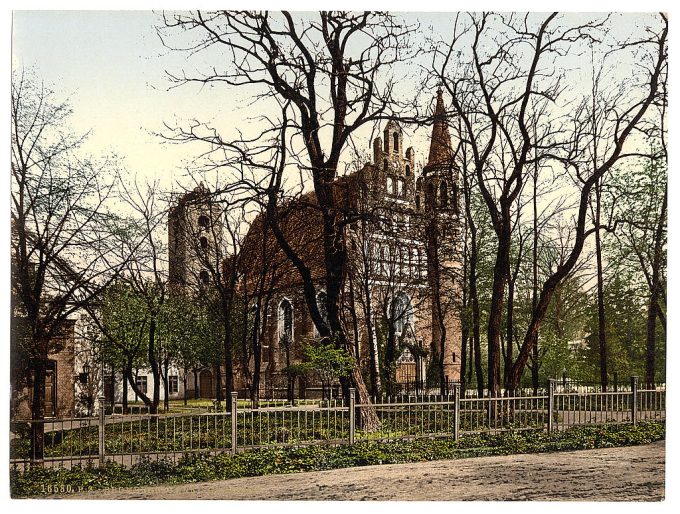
x: 112, y: 63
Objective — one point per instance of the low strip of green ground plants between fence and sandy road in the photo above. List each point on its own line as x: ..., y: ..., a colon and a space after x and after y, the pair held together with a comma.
x: 197, y: 467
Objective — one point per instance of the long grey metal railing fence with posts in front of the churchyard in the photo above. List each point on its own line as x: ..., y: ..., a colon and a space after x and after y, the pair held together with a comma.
x: 240, y: 425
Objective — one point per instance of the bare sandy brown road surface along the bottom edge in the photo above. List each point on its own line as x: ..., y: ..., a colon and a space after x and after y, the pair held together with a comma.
x: 616, y: 474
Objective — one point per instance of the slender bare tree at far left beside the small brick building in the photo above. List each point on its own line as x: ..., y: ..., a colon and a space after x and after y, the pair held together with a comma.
x: 61, y: 261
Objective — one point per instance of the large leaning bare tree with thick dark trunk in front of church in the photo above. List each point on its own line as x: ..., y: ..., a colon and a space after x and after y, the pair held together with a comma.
x: 325, y: 72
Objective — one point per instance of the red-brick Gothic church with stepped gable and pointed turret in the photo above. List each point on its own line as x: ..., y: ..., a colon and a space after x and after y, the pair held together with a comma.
x: 400, y: 299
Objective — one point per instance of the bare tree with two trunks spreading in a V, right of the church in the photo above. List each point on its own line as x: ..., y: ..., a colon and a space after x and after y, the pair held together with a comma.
x: 504, y: 93
